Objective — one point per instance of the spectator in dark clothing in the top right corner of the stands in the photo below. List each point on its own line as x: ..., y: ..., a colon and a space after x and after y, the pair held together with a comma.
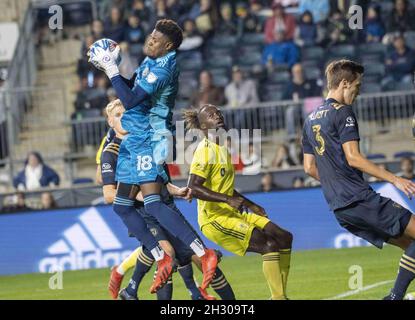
x: 401, y: 19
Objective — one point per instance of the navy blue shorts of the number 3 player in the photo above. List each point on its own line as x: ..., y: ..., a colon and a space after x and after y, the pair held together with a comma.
x: 376, y: 219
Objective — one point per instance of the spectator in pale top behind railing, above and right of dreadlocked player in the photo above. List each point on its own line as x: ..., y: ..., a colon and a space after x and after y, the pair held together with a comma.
x: 241, y: 91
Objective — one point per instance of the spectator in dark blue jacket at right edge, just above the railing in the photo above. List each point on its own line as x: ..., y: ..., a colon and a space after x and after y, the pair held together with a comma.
x: 400, y: 64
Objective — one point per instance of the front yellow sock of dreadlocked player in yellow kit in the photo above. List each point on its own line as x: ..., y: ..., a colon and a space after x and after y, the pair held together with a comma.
x: 272, y: 272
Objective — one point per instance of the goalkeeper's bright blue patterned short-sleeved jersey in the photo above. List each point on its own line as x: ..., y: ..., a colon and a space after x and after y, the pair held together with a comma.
x: 159, y: 78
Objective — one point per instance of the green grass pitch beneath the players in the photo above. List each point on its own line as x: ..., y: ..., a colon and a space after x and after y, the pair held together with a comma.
x: 315, y: 275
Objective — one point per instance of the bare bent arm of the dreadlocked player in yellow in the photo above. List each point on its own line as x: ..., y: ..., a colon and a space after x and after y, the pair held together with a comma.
x: 201, y: 192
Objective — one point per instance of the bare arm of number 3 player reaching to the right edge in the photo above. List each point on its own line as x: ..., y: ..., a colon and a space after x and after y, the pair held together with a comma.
x: 358, y: 161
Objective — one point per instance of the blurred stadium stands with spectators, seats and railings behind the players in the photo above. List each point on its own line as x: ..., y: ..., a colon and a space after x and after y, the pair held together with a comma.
x: 261, y: 61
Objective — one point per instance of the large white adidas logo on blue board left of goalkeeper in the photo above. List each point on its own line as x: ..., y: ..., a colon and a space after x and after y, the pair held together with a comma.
x: 90, y: 243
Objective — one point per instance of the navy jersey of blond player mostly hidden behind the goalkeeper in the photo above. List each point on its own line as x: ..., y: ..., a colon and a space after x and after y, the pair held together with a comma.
x: 109, y: 158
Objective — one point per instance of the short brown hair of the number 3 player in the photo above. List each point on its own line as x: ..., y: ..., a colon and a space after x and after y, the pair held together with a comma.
x: 338, y: 70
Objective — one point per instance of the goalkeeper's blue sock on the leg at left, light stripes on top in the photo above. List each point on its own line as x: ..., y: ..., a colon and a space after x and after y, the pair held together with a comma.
x: 134, y: 222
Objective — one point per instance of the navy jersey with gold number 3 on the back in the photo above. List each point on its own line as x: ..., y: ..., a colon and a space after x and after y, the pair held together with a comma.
x: 325, y: 130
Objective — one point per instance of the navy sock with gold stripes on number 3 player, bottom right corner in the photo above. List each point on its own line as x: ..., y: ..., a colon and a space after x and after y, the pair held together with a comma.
x: 406, y: 273
